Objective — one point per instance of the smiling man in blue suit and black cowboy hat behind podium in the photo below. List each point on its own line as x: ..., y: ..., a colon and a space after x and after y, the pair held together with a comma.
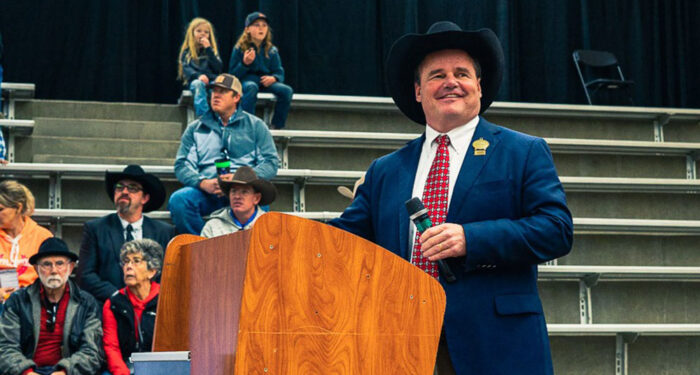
x: 493, y: 195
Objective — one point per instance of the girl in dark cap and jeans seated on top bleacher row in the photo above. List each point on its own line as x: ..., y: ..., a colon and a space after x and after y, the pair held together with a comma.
x: 256, y: 61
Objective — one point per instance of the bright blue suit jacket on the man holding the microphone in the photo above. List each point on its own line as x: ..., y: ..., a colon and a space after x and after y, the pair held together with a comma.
x: 512, y: 207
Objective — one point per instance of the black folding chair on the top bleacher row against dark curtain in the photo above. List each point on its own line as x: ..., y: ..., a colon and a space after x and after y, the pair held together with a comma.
x: 603, y: 73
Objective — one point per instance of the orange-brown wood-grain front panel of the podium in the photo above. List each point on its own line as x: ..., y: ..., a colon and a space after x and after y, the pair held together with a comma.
x: 318, y: 300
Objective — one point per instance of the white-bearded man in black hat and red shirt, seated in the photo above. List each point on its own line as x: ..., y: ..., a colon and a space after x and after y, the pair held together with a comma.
x: 51, y: 327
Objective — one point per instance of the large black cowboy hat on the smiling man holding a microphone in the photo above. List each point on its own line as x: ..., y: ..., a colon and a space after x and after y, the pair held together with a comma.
x: 409, y: 50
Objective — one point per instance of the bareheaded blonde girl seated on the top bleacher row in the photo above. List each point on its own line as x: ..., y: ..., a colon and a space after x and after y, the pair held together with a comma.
x: 199, y: 62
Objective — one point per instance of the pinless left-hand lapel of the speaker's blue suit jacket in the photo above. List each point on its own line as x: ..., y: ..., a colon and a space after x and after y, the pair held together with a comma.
x: 407, y: 174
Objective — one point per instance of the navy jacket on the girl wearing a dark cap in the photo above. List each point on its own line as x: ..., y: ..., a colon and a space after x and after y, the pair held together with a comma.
x: 262, y: 65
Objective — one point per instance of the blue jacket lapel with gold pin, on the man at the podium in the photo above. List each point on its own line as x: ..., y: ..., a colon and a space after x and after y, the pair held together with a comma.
x: 472, y: 166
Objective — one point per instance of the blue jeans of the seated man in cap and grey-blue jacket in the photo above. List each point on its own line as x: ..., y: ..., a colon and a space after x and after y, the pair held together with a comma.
x: 187, y: 206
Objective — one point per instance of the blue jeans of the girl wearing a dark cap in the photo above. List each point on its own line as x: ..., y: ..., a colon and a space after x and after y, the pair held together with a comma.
x: 283, y: 93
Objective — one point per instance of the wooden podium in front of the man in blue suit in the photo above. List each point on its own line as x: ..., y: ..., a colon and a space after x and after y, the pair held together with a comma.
x: 294, y: 296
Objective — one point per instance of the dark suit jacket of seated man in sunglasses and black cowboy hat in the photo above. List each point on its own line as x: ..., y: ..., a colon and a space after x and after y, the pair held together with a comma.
x: 99, y: 272
